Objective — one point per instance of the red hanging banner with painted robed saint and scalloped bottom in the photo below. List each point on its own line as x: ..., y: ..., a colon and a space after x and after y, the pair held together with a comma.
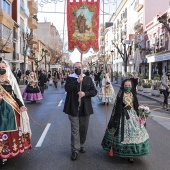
x: 83, y: 25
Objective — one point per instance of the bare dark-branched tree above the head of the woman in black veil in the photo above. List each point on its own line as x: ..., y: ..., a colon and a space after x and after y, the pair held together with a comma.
x: 124, y: 54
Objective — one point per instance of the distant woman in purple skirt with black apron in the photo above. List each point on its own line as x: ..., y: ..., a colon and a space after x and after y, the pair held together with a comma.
x: 32, y: 91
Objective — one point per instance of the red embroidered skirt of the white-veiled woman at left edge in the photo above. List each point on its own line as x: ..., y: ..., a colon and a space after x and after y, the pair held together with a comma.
x: 13, y: 143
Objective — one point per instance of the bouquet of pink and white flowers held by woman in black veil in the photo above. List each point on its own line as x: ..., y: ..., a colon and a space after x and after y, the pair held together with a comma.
x: 144, y: 112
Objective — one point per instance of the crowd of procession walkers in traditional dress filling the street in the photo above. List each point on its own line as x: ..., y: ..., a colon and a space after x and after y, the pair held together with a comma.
x: 124, y: 134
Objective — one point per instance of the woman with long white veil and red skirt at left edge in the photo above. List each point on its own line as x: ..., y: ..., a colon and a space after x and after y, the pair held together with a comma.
x: 14, y: 122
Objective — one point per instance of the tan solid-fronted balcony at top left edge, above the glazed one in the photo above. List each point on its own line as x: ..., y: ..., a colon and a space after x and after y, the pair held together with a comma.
x: 6, y: 19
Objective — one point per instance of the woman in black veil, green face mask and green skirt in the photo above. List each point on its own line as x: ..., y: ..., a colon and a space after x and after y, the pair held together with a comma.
x: 124, y: 135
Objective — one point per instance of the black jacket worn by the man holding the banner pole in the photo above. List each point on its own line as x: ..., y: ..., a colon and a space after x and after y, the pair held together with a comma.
x: 72, y: 87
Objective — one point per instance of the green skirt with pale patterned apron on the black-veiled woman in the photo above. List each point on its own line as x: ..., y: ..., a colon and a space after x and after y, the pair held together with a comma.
x: 136, y: 139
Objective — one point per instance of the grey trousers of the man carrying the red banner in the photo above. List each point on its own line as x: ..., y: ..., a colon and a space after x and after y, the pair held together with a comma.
x: 79, y: 126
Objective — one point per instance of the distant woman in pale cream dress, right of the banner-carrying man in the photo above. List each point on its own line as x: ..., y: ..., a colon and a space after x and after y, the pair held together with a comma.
x: 106, y: 92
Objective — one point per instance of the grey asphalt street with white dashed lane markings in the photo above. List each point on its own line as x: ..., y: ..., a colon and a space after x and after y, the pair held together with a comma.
x: 53, y: 152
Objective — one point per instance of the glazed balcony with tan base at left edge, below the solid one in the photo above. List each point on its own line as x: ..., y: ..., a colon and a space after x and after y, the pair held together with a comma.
x: 6, y: 44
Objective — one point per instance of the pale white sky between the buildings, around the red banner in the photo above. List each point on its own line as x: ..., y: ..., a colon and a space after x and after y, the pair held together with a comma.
x: 53, y: 11
